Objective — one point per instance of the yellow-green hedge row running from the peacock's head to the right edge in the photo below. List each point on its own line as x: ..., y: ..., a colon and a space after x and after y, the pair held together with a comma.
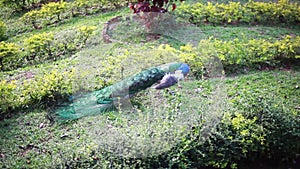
x: 241, y: 53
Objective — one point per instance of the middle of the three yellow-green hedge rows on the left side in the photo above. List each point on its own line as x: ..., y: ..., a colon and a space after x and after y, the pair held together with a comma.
x: 42, y: 47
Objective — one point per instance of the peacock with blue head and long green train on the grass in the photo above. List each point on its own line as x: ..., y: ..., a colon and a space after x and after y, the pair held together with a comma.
x: 100, y: 101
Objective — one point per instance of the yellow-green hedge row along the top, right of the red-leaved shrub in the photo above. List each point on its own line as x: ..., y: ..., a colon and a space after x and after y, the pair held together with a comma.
x: 235, y: 12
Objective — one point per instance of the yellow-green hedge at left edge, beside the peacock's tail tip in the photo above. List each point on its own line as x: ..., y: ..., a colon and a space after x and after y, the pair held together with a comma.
x: 42, y: 88
